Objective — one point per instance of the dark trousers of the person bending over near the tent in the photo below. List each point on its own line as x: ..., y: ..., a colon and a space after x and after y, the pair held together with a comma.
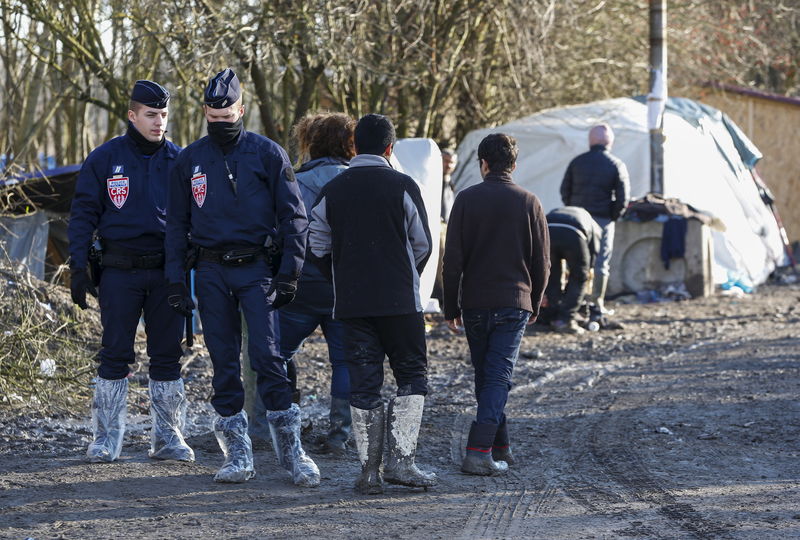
x: 567, y: 245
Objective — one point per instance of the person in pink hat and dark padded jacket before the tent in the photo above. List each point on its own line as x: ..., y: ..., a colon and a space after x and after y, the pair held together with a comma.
x: 598, y: 181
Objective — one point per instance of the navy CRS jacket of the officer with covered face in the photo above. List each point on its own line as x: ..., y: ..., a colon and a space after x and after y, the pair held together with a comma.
x: 234, y: 201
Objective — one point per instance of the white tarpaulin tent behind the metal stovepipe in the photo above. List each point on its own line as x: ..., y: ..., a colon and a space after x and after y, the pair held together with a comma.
x: 702, y: 167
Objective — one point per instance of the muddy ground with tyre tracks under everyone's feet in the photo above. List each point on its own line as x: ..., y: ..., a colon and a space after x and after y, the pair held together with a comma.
x: 686, y: 424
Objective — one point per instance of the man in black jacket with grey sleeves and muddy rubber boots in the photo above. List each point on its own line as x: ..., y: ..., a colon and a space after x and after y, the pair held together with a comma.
x: 370, y: 230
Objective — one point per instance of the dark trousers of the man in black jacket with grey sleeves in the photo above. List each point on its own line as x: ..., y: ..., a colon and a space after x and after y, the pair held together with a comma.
x: 368, y: 340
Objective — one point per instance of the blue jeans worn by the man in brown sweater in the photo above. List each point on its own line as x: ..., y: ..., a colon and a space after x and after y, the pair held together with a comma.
x: 494, y: 336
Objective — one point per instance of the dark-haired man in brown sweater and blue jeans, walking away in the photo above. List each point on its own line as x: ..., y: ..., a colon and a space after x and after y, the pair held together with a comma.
x: 497, y: 255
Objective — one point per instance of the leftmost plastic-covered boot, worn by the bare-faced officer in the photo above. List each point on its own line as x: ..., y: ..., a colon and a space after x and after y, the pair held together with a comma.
x: 109, y: 413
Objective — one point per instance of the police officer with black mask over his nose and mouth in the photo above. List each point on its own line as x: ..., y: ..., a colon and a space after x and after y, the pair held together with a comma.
x: 232, y: 193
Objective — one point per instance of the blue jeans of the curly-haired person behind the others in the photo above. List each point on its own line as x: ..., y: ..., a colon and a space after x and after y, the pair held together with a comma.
x: 296, y: 327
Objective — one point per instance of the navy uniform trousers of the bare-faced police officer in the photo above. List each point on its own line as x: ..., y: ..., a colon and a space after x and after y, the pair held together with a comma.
x: 124, y: 296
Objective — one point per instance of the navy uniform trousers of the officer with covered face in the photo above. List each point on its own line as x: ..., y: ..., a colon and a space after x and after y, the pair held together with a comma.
x: 221, y: 292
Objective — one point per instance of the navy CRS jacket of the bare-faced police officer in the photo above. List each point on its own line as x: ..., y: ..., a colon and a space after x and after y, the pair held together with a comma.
x: 122, y: 194
